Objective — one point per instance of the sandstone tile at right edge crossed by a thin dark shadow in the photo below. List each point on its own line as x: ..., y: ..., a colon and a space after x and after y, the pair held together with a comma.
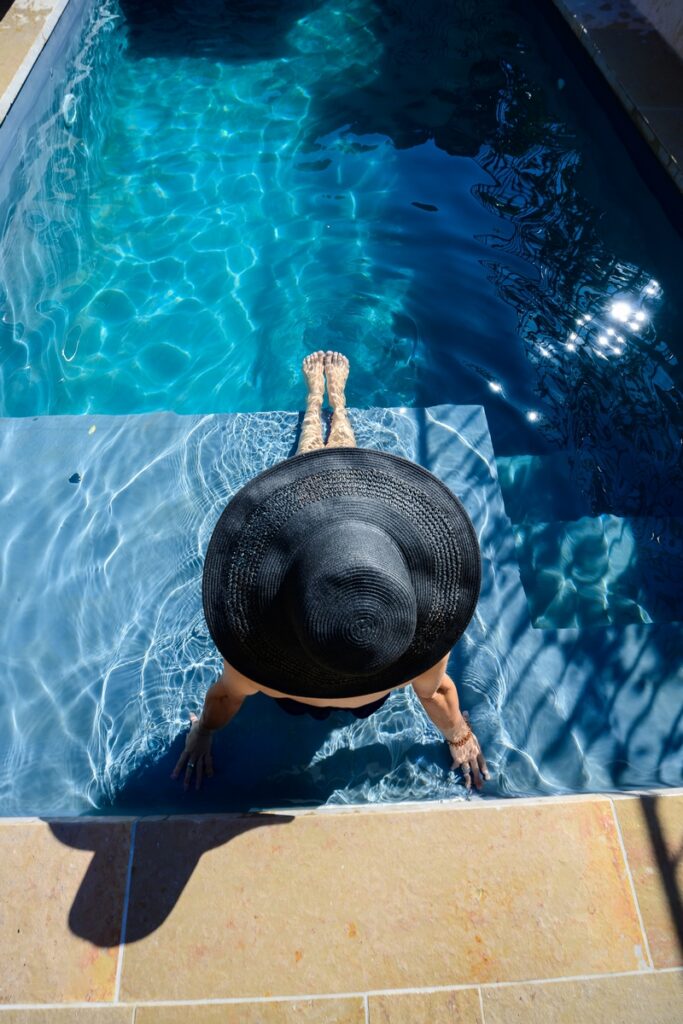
x: 653, y: 830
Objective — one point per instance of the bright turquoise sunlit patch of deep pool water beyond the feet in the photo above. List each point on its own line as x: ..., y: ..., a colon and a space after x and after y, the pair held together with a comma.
x: 181, y: 234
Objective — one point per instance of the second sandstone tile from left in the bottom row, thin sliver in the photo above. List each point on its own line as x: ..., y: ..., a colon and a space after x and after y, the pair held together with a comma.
x: 351, y: 1011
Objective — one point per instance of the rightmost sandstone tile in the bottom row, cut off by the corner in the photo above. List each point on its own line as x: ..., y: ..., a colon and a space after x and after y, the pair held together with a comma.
x: 656, y: 999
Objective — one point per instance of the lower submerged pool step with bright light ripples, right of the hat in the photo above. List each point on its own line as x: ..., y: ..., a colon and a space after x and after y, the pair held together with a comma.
x: 603, y: 571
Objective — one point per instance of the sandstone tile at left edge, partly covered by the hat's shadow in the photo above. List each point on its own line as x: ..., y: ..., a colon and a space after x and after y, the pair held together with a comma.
x: 61, y: 910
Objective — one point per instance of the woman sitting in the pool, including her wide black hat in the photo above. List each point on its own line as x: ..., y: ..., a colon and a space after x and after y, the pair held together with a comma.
x: 334, y: 578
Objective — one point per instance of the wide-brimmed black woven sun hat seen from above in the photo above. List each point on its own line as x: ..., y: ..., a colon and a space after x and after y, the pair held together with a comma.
x: 340, y: 573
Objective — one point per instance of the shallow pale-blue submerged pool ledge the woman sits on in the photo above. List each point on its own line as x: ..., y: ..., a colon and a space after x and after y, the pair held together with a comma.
x: 105, y: 651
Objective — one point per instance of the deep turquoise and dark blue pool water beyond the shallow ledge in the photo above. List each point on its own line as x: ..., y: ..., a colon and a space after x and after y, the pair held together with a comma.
x: 434, y: 191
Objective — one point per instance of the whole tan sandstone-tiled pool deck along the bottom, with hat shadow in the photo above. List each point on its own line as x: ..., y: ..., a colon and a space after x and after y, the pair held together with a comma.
x: 562, y: 909
